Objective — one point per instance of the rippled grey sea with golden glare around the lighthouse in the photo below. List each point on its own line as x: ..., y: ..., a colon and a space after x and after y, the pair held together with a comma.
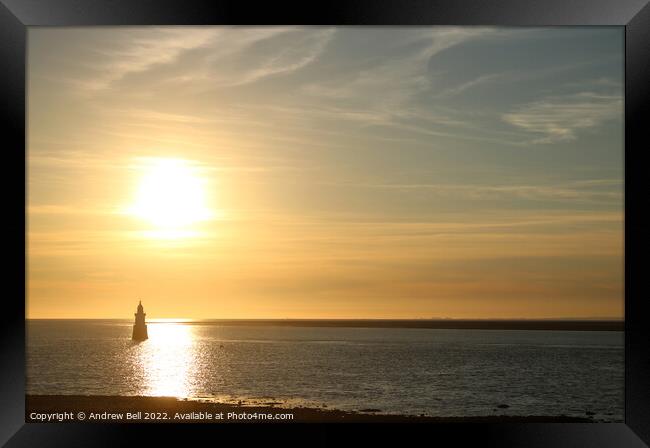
x: 408, y: 371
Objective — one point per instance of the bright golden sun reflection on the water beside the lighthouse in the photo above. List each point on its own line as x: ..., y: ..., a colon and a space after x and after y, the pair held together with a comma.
x: 167, y: 360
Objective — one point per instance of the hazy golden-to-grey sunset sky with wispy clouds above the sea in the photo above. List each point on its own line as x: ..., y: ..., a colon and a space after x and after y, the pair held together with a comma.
x: 325, y: 172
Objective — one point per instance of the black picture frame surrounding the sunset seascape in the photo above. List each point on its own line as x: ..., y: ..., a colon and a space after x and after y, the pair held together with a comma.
x: 17, y: 15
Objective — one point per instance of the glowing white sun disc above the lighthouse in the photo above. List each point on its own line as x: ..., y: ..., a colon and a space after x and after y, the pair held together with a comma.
x: 171, y: 195
